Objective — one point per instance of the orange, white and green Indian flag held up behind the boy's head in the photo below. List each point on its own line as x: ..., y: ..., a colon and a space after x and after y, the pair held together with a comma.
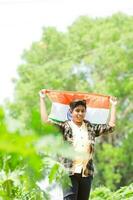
x: 97, y: 105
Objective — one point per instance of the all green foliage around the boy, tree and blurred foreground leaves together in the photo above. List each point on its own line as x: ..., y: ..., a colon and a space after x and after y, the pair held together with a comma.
x: 94, y: 55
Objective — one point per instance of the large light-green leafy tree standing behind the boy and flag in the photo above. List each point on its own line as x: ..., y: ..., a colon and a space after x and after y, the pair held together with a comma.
x: 94, y: 55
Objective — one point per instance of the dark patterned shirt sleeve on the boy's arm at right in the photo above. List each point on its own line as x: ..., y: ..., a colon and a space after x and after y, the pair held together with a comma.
x: 101, y: 129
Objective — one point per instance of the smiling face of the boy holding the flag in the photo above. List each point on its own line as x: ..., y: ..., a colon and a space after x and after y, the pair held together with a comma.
x: 78, y: 114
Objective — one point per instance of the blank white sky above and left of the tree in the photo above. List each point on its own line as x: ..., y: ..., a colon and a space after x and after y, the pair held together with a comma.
x: 21, y: 23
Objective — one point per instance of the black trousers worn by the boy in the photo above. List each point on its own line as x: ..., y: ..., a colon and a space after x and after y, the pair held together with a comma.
x: 80, y: 189
